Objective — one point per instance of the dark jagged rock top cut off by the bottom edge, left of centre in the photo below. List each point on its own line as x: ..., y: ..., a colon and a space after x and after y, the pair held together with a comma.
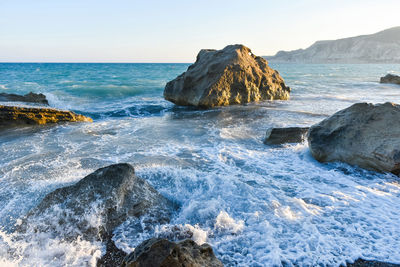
x: 158, y: 252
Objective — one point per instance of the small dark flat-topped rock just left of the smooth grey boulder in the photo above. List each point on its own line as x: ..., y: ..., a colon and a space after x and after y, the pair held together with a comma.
x: 277, y: 136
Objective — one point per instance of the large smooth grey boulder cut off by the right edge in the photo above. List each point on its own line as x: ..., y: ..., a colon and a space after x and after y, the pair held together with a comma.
x: 364, y: 134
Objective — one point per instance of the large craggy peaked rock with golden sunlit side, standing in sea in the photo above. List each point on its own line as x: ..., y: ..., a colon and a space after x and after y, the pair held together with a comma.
x: 224, y: 77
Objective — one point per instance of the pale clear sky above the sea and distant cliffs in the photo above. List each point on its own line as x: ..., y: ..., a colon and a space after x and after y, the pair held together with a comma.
x: 174, y: 31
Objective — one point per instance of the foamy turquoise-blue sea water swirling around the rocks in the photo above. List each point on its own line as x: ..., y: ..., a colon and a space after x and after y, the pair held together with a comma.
x: 256, y: 205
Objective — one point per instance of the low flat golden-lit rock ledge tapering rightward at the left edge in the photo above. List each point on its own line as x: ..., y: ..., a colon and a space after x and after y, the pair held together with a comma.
x: 13, y: 116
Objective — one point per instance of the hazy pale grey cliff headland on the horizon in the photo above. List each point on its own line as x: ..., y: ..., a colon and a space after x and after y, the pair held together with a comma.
x: 381, y: 47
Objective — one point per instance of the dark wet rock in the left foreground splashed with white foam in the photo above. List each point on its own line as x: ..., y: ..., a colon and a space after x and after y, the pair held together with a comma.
x: 93, y: 207
